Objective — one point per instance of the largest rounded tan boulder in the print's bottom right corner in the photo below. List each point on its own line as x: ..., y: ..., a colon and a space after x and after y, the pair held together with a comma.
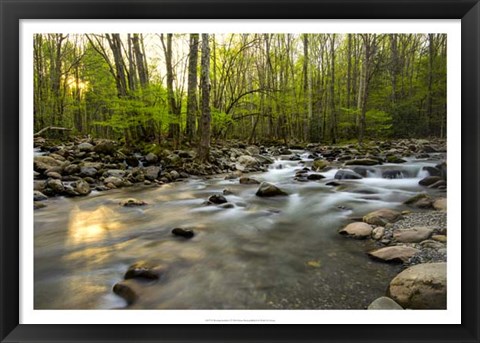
x: 423, y: 286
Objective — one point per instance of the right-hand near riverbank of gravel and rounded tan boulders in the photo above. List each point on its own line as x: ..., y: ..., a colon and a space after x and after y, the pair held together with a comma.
x: 418, y: 240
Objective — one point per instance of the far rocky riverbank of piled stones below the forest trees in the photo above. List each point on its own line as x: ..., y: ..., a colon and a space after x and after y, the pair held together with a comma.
x: 77, y: 167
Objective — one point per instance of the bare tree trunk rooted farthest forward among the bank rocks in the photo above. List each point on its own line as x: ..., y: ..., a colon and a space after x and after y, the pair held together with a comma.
x: 204, y: 144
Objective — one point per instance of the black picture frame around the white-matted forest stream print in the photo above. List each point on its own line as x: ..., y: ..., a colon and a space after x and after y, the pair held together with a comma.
x: 12, y: 11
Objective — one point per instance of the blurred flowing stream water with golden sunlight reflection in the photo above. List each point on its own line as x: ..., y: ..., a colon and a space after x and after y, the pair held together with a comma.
x: 265, y: 253
